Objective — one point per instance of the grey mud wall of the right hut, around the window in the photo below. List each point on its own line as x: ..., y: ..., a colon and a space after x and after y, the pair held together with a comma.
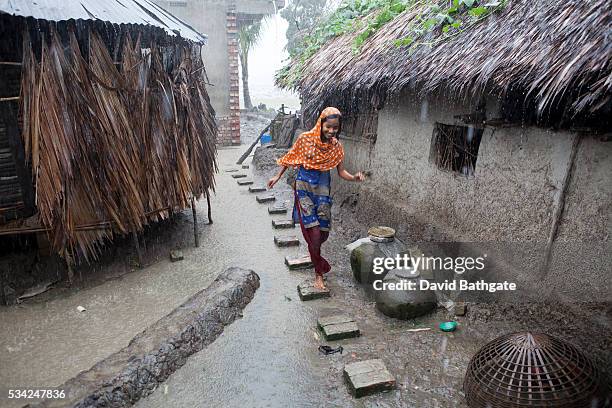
x: 505, y: 209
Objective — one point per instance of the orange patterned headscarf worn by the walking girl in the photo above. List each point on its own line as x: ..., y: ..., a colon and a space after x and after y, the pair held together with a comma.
x: 310, y: 152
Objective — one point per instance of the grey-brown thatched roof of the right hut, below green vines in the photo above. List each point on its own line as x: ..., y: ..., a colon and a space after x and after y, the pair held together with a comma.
x: 557, y: 54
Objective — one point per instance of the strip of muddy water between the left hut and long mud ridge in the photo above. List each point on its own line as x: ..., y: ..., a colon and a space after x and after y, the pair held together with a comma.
x: 42, y: 344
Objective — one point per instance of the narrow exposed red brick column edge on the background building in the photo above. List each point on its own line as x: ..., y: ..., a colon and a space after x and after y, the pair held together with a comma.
x: 229, y: 126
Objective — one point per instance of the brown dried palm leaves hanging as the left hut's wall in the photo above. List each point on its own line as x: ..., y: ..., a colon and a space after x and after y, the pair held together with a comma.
x: 114, y: 146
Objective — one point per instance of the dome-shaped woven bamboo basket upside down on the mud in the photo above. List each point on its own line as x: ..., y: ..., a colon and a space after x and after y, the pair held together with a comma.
x: 532, y: 370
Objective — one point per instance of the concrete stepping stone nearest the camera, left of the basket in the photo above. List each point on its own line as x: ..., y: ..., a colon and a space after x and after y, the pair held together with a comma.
x: 368, y: 377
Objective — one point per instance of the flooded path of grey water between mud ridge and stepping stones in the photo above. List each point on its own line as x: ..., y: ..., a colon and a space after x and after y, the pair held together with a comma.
x: 269, y: 357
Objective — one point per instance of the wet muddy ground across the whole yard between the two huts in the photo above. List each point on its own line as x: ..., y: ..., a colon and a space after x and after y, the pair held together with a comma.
x: 270, y: 356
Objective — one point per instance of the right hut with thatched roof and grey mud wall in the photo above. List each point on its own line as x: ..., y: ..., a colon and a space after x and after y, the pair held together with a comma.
x: 494, y: 130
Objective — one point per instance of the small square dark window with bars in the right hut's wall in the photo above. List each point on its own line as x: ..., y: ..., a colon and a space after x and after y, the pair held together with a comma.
x: 455, y: 148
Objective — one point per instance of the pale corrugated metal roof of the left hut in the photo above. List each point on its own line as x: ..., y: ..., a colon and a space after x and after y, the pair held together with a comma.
x: 118, y: 12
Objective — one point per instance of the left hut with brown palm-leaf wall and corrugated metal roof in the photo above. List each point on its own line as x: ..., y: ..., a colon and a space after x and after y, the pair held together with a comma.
x: 105, y: 121
